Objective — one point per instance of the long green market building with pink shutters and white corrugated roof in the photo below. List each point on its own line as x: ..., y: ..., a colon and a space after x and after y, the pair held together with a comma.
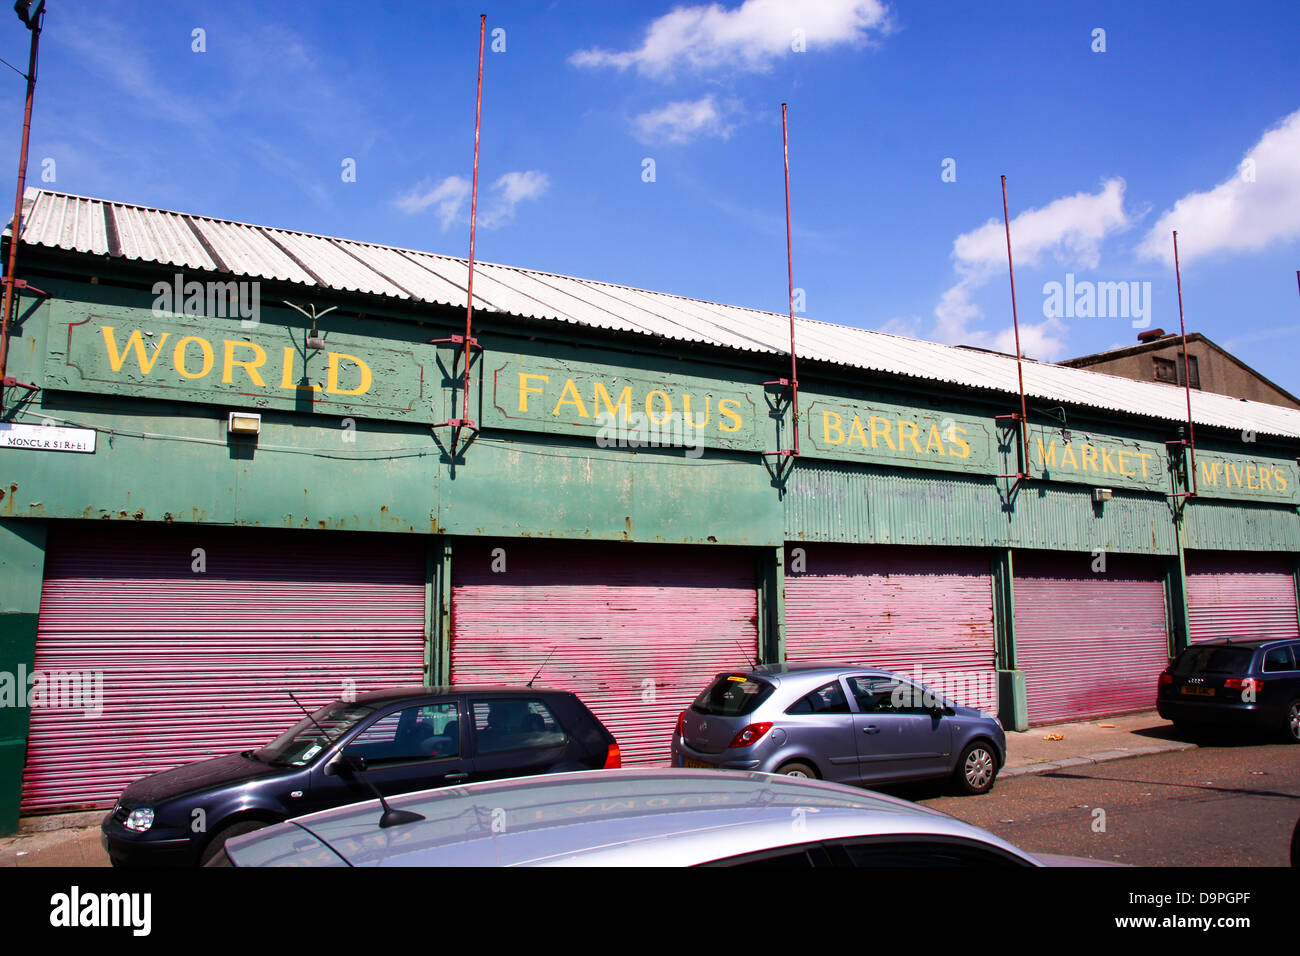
x: 610, y: 508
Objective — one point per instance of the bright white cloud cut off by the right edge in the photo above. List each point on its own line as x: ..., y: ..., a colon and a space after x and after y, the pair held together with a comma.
x: 1238, y: 215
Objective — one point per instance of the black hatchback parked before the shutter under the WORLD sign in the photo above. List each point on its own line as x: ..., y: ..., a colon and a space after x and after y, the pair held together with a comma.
x: 387, y: 743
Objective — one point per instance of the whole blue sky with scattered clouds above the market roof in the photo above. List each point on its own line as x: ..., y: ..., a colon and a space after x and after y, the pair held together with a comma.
x: 1189, y: 119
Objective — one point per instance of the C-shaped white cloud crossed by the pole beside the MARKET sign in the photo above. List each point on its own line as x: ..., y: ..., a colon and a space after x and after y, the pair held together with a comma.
x: 1071, y: 230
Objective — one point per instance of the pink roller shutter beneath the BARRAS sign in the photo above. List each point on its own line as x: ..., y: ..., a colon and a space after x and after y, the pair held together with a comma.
x: 925, y: 613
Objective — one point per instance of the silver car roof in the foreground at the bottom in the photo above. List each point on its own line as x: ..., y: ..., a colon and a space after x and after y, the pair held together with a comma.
x: 606, y: 819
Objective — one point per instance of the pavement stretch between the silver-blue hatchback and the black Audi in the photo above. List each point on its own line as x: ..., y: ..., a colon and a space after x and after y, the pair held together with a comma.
x: 1091, y: 742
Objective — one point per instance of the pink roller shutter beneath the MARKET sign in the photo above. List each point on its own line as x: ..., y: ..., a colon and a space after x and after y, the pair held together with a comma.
x: 1090, y: 644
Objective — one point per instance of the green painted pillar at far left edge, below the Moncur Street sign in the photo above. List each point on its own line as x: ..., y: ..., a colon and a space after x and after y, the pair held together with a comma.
x: 23, y: 568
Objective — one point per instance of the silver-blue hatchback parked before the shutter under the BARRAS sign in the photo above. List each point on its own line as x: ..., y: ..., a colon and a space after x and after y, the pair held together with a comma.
x: 838, y: 723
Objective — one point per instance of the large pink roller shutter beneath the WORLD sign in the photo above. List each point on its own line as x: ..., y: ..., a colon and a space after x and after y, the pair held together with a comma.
x: 197, y: 665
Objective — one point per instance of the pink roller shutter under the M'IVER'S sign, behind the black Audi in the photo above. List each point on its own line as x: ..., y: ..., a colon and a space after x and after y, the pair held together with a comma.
x: 1241, y: 596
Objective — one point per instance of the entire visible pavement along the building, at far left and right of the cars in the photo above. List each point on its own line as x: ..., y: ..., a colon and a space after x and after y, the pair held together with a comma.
x: 73, y: 840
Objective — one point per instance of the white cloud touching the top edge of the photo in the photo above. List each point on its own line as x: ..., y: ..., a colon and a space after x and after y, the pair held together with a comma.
x: 749, y: 37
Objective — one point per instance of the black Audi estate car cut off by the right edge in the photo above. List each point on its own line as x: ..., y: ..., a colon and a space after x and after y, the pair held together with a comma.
x: 1234, y: 684
